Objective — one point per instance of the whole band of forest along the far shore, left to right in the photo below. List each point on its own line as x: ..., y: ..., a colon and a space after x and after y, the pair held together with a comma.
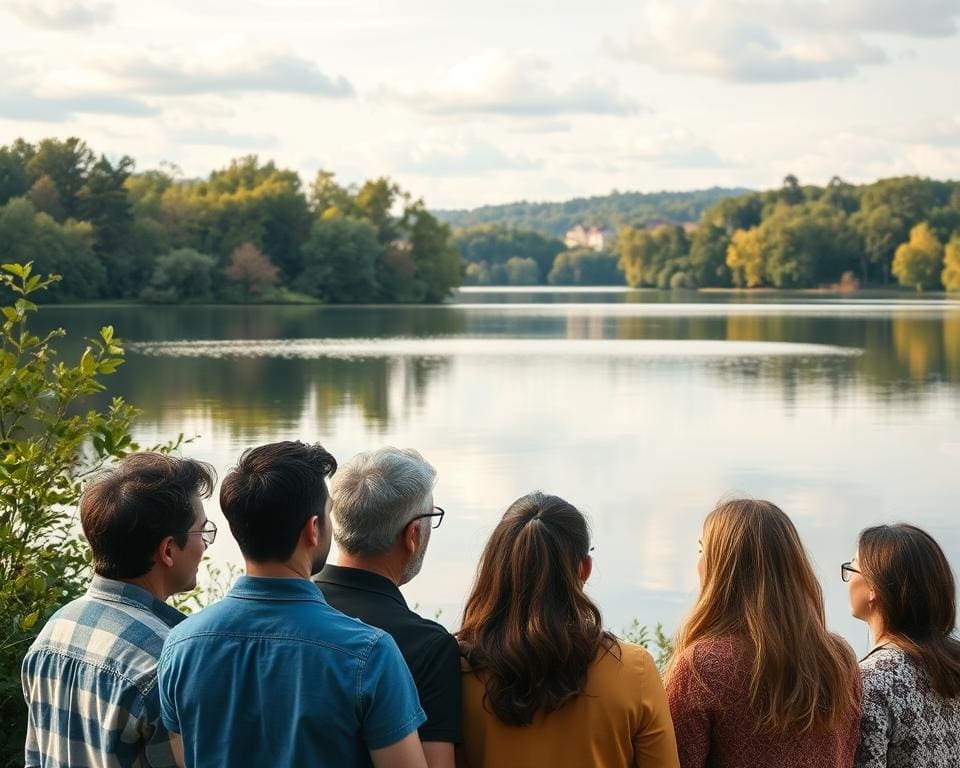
x: 254, y: 232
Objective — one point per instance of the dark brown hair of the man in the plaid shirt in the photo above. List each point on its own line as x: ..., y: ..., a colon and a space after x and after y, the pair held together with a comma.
x: 129, y: 508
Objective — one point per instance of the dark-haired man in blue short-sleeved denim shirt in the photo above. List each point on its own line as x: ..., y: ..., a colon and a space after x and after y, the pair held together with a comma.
x: 272, y: 675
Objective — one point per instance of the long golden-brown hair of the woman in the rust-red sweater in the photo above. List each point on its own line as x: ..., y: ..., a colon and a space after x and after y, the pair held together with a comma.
x: 759, y: 587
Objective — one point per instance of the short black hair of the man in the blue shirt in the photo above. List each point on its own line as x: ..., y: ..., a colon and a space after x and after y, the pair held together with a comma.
x: 272, y: 493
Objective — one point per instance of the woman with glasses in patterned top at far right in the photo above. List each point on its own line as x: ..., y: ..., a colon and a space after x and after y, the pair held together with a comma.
x: 901, y: 585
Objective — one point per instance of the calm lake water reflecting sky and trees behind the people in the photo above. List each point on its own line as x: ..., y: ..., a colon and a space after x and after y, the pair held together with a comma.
x: 641, y: 408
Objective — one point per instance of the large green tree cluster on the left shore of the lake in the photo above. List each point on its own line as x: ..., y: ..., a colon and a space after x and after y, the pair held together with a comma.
x: 247, y: 232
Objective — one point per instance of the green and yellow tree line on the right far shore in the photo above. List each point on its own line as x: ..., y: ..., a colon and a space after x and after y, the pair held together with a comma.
x: 905, y: 229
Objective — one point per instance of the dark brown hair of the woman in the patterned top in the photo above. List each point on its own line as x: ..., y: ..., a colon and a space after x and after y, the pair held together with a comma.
x: 916, y: 597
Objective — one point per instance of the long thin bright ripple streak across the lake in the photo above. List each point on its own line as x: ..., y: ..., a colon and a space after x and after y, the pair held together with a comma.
x: 458, y: 347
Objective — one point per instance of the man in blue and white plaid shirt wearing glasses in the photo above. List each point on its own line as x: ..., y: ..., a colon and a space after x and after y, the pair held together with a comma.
x: 89, y: 679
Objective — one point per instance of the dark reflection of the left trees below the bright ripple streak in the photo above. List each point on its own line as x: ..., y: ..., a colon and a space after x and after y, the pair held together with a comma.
x: 251, y: 396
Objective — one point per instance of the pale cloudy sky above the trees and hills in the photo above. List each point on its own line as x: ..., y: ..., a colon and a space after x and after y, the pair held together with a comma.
x: 473, y: 103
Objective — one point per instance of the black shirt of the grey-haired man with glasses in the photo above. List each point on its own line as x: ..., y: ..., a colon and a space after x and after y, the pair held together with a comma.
x: 430, y: 651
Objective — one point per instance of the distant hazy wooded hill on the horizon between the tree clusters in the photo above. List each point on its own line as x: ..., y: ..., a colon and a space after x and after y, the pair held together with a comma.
x: 613, y: 210
